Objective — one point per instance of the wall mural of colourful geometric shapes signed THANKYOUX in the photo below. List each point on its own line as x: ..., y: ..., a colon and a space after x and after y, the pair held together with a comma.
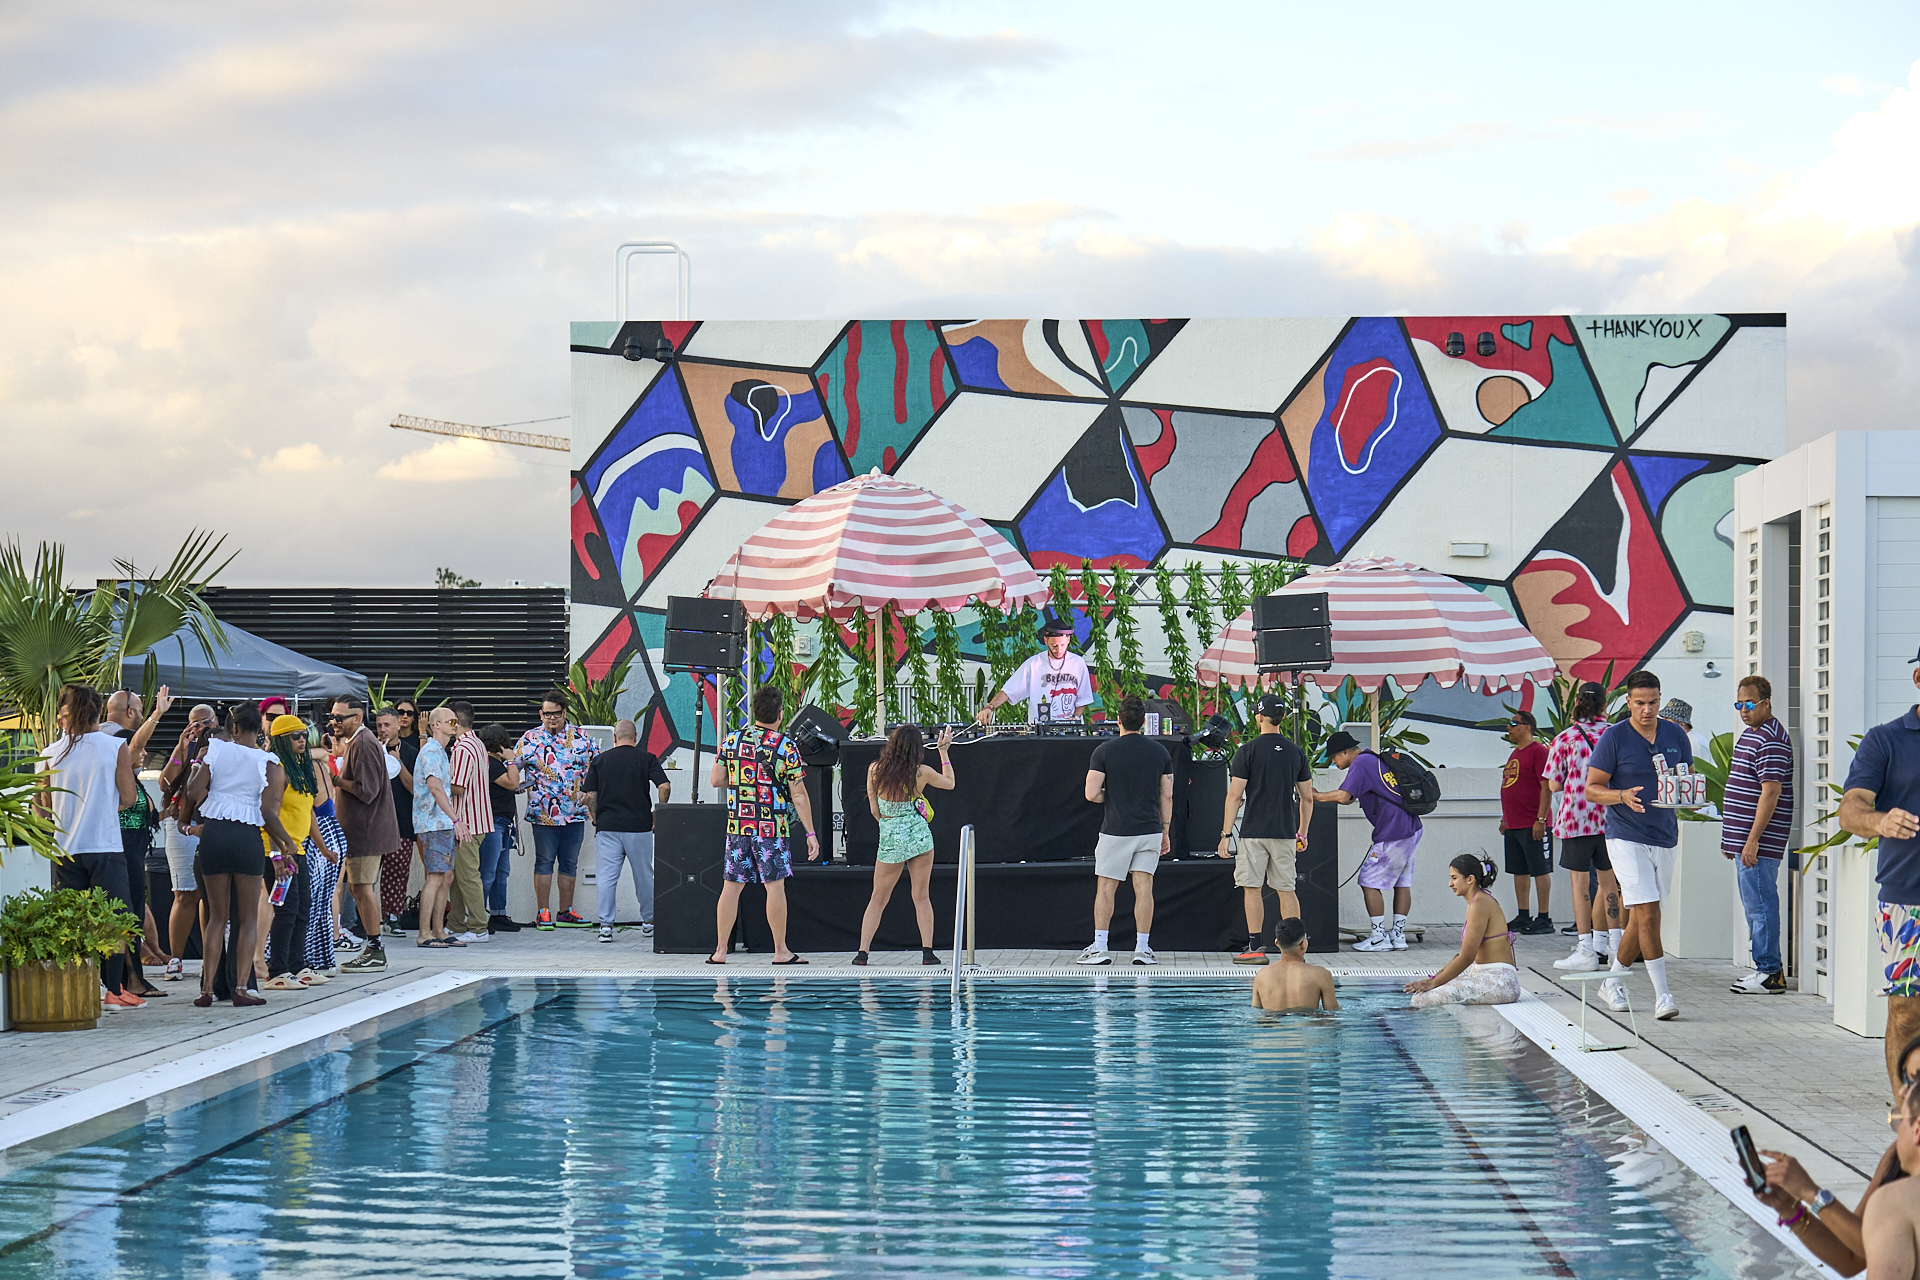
x: 1581, y: 469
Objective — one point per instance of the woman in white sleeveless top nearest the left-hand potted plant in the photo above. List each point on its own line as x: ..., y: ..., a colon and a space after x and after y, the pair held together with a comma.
x: 93, y: 778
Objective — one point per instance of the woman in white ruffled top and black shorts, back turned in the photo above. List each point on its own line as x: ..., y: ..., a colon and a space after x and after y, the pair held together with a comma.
x: 235, y: 794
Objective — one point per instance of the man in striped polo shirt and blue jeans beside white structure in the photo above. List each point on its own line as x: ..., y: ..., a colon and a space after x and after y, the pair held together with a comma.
x: 1758, y: 820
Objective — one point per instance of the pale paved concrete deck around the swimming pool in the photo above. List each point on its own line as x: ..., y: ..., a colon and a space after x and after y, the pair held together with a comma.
x: 1771, y: 1062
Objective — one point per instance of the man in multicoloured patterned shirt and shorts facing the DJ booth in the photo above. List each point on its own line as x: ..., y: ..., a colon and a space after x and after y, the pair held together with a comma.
x: 763, y: 769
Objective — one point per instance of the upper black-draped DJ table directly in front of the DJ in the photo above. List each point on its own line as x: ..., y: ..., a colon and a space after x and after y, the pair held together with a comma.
x: 1024, y: 795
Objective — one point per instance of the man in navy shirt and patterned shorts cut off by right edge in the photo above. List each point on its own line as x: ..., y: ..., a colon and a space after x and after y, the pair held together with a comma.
x: 1883, y: 797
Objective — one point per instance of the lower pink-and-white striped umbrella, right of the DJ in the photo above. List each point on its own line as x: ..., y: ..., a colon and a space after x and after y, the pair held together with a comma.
x: 1399, y: 621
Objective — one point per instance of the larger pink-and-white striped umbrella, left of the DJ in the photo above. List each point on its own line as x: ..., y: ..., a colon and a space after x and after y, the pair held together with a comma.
x: 876, y: 542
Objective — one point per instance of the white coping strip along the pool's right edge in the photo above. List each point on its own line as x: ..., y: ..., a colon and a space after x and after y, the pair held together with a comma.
x: 1687, y: 1131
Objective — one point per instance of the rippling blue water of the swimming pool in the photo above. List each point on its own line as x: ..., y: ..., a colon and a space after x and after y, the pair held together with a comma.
x: 804, y: 1129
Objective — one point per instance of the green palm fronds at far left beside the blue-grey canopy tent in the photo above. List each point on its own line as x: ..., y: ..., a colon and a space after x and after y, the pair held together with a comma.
x: 53, y: 636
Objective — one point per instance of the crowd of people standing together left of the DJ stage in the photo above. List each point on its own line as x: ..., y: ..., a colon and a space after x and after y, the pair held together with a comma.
x: 291, y: 847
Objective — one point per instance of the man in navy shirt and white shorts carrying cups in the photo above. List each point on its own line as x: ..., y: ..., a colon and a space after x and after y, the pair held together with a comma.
x: 1621, y: 776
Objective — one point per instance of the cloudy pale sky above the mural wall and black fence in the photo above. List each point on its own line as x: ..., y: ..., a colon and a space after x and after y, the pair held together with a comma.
x: 237, y: 239
